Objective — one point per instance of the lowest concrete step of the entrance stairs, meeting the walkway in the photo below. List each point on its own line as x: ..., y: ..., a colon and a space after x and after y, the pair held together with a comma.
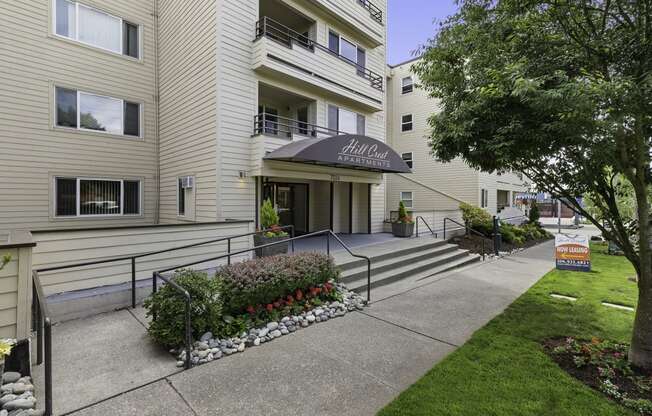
x: 437, y: 264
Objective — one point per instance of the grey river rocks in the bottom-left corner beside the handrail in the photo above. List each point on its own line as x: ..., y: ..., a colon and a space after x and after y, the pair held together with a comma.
x: 17, y: 396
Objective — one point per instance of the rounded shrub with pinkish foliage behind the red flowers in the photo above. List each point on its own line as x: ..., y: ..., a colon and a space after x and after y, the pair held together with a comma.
x: 264, y: 280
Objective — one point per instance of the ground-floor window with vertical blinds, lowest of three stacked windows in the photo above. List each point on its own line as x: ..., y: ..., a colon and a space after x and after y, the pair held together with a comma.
x: 79, y: 197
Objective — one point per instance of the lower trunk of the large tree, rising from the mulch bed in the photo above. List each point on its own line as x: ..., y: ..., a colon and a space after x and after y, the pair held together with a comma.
x: 640, y: 352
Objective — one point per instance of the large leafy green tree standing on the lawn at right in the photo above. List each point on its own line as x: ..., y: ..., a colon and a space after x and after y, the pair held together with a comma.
x: 558, y: 90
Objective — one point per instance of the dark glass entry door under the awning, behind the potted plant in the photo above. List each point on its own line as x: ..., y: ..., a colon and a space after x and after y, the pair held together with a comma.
x: 291, y: 203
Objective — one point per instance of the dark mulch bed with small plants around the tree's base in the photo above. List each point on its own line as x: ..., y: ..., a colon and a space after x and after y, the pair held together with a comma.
x: 589, y: 373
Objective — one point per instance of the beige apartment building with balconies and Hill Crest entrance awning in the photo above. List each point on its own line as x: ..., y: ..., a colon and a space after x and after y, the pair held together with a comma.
x: 120, y: 113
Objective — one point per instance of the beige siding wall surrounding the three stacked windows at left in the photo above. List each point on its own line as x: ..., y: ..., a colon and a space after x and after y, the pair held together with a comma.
x: 33, y: 61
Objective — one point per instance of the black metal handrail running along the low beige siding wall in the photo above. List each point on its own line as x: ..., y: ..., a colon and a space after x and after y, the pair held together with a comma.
x: 133, y: 258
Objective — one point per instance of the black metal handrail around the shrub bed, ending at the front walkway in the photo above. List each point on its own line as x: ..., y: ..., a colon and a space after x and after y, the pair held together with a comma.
x: 187, y: 319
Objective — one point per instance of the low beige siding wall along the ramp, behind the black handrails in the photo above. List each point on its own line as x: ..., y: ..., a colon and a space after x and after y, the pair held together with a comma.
x: 70, y: 247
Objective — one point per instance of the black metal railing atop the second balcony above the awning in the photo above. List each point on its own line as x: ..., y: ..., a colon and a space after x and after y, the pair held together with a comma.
x: 267, y: 27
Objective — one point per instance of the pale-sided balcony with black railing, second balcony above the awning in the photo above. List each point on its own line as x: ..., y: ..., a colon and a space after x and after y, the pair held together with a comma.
x: 283, y: 52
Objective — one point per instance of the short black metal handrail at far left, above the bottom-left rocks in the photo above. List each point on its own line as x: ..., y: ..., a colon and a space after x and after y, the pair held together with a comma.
x: 42, y: 323
